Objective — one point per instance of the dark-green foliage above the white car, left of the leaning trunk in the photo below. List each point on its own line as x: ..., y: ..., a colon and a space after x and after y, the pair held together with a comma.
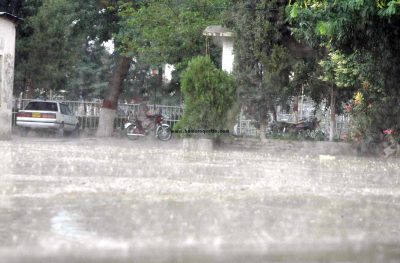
x: 59, y: 46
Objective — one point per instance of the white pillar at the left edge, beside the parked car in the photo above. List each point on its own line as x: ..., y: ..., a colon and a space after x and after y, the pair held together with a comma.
x: 7, y: 56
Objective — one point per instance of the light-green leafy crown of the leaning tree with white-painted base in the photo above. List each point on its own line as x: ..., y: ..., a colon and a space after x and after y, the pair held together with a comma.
x: 166, y: 31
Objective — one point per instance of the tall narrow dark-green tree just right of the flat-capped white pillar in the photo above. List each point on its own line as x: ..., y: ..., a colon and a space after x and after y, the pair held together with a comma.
x: 263, y: 56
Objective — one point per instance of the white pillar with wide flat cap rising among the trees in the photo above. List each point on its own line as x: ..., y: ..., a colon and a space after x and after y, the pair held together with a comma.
x: 223, y: 38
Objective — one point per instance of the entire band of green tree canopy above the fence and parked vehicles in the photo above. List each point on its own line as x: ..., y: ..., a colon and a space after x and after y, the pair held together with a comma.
x: 281, y: 48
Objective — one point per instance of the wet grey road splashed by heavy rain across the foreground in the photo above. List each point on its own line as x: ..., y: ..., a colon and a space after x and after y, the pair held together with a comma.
x: 114, y: 200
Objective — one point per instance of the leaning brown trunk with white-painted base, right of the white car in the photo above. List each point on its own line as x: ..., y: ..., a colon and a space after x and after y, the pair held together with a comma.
x: 110, y: 103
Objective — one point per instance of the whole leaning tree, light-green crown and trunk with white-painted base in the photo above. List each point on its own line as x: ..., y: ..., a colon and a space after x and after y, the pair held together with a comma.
x: 154, y: 33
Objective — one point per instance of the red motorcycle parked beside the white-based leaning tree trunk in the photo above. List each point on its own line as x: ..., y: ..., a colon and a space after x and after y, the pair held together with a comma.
x: 134, y: 129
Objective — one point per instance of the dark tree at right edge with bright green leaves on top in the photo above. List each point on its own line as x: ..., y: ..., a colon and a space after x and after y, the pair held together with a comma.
x: 365, y: 33
